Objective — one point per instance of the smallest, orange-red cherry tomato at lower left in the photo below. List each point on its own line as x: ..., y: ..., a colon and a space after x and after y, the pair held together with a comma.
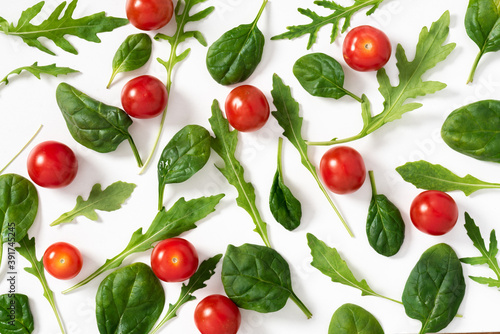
x: 62, y: 260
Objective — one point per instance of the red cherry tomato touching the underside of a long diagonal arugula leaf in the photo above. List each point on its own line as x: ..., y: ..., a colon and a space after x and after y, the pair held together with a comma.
x: 174, y: 260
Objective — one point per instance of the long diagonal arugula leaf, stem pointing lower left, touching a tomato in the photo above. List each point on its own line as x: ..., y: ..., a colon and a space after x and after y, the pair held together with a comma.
x: 180, y: 218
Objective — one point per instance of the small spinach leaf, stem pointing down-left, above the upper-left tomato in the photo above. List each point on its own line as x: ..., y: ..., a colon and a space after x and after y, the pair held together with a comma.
x: 133, y: 53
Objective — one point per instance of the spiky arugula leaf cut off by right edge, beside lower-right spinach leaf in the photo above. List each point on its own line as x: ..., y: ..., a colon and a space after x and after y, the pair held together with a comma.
x: 488, y: 256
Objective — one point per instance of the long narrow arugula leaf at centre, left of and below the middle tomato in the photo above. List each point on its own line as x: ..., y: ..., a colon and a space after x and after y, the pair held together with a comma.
x: 224, y: 144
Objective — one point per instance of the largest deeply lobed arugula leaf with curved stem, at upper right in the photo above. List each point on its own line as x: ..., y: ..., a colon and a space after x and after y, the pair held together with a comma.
x: 429, y: 52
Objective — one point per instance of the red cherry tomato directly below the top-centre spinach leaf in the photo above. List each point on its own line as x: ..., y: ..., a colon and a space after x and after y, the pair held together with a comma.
x: 247, y: 108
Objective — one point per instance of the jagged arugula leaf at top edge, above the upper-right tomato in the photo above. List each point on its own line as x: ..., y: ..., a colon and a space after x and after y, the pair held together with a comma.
x: 339, y: 13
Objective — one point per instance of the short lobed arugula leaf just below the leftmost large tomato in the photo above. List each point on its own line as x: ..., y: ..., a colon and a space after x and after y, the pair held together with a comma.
x: 109, y: 199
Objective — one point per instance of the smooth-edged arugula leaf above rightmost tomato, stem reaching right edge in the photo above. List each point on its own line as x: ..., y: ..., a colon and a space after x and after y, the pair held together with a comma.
x: 425, y: 175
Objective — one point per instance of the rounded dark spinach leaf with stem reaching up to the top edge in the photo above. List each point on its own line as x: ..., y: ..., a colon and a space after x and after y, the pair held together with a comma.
x: 237, y: 53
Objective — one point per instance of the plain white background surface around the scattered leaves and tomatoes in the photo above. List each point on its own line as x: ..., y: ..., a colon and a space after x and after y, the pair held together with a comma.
x: 27, y: 102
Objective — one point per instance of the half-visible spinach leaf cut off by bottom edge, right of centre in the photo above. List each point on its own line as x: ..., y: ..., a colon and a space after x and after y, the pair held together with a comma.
x: 353, y: 319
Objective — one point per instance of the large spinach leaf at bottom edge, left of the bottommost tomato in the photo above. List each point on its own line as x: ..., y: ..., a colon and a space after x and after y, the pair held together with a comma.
x: 129, y: 300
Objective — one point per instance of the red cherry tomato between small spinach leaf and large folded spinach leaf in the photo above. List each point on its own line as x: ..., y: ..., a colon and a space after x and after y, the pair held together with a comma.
x: 144, y: 97
